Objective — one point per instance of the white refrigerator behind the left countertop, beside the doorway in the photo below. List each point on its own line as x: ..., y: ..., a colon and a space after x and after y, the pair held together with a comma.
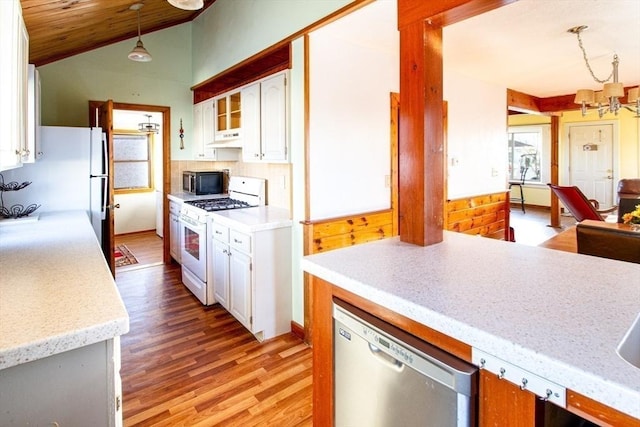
x: 71, y: 174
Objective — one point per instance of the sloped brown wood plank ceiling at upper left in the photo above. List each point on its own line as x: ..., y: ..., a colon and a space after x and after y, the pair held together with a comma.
x: 62, y: 28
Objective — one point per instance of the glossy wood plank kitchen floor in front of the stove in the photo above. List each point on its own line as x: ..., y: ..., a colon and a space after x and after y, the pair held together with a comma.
x: 184, y: 364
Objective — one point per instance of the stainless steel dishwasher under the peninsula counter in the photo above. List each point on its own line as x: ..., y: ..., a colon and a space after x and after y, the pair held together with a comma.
x: 384, y: 376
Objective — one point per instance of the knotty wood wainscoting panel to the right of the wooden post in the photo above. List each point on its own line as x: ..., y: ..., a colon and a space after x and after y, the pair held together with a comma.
x: 487, y: 215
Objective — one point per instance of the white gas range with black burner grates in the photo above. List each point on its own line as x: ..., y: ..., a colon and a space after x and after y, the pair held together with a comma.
x: 244, y: 192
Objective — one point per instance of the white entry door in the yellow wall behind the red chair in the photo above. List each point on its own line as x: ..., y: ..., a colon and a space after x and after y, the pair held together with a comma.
x: 591, y: 161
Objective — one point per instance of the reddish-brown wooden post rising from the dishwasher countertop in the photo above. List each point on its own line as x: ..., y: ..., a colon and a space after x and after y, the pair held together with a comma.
x: 421, y: 158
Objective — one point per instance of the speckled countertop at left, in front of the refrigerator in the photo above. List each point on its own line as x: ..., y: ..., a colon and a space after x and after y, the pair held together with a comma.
x: 56, y: 290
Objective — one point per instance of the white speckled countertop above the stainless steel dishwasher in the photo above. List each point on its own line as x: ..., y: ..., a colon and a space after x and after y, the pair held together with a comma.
x: 556, y: 314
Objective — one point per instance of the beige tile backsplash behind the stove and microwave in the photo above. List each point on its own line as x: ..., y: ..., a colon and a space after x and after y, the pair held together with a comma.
x: 278, y: 176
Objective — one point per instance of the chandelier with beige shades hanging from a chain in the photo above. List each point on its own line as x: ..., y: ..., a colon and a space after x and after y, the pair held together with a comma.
x: 608, y: 99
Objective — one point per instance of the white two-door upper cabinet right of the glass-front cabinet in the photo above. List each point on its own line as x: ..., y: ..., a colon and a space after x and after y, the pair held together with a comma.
x: 264, y: 117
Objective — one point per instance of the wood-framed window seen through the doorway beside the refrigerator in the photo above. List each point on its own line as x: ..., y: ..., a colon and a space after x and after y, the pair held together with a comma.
x: 132, y: 162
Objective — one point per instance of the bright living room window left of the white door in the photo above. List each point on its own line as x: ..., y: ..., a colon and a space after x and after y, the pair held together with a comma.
x: 528, y: 153
